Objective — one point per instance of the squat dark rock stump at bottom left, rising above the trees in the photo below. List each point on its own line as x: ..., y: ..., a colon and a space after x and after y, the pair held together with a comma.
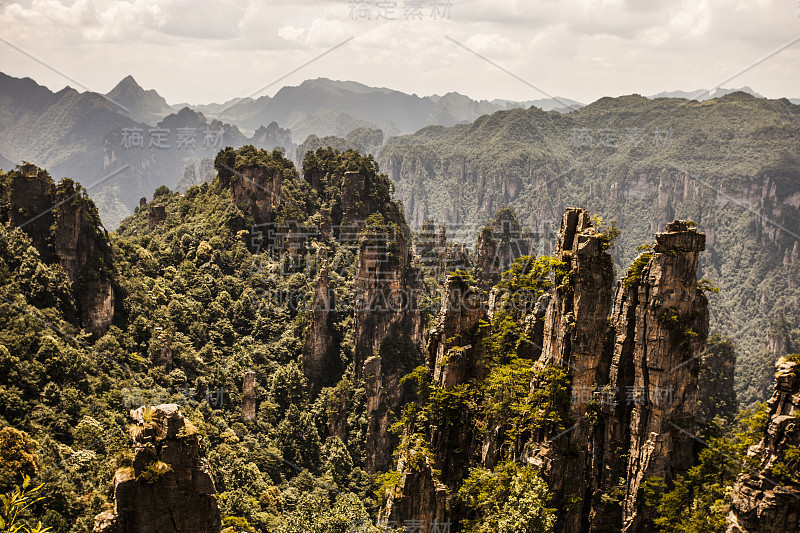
x: 169, y: 488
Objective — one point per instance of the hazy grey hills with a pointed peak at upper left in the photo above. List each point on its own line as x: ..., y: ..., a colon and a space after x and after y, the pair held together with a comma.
x: 119, y: 156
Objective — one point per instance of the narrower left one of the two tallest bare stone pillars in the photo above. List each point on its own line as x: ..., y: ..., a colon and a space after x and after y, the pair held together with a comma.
x: 574, y: 335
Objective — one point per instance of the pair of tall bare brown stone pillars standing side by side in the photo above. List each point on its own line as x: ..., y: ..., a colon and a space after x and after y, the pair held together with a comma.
x: 633, y: 374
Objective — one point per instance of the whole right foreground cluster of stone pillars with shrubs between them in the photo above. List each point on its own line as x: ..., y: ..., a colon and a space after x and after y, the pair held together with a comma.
x: 631, y: 375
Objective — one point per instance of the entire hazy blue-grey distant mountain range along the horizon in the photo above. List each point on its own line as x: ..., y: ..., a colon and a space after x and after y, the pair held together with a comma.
x: 147, y: 142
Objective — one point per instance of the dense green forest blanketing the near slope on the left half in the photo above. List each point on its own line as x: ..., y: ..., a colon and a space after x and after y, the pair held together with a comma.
x: 197, y: 308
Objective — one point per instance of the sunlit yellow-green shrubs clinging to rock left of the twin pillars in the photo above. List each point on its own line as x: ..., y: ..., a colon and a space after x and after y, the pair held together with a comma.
x: 510, y: 497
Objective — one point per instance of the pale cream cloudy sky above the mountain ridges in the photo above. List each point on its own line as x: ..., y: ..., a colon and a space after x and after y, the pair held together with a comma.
x: 203, y: 51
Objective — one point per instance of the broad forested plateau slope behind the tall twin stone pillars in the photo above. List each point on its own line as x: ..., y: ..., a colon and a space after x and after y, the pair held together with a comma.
x: 731, y: 164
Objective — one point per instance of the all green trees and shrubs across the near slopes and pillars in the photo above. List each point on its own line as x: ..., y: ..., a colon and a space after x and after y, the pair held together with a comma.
x: 201, y: 301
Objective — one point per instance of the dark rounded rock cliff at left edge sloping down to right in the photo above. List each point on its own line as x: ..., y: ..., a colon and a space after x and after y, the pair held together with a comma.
x: 64, y: 226
